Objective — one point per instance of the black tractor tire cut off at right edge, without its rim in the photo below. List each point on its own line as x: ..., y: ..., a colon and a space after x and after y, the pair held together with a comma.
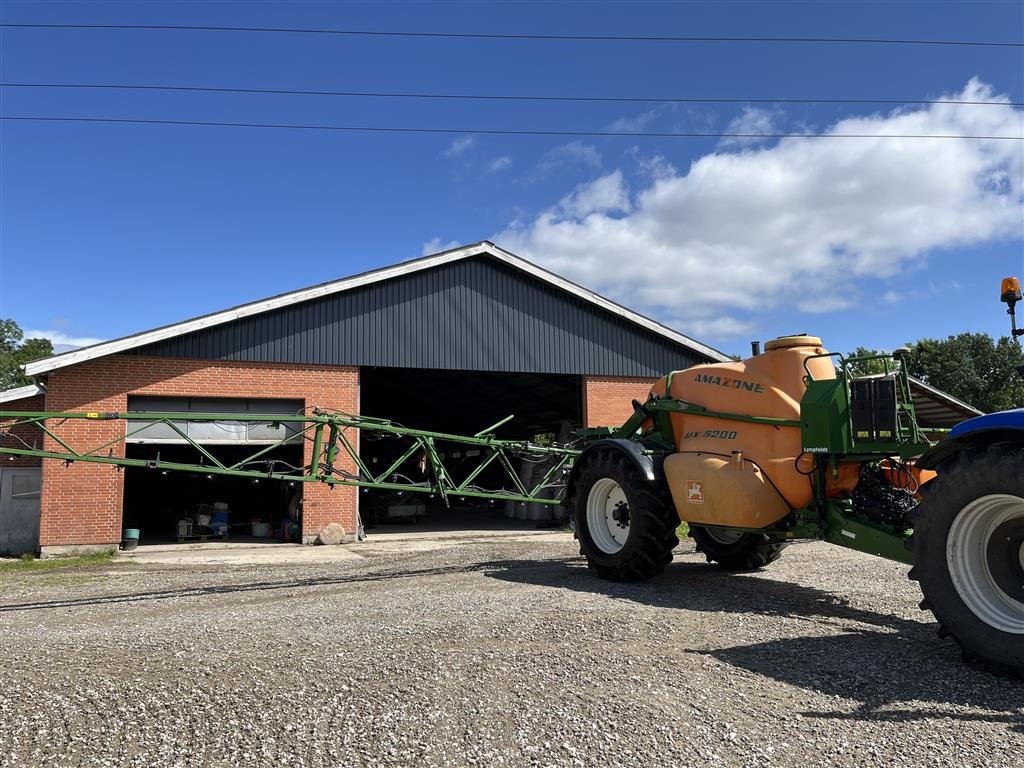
x: 969, y: 479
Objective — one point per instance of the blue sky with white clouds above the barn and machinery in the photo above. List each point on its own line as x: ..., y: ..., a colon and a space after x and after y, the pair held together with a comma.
x: 109, y: 230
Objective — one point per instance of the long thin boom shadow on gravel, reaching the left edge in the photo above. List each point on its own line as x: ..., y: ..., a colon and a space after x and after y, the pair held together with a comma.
x: 229, y: 589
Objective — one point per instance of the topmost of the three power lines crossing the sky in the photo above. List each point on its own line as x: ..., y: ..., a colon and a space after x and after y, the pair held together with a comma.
x: 513, y: 36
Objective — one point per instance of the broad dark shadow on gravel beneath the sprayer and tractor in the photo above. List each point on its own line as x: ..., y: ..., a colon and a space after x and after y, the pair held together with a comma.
x: 892, y: 666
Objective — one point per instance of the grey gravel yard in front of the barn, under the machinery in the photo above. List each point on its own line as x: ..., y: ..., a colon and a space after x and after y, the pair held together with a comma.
x: 491, y: 653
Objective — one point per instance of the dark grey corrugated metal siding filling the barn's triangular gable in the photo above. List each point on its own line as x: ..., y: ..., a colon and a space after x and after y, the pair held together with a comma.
x: 475, y: 315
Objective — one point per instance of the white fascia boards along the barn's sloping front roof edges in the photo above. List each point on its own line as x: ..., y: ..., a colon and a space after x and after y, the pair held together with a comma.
x: 326, y: 289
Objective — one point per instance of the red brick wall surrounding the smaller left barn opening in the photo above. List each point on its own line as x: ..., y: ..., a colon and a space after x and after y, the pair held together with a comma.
x: 82, y: 503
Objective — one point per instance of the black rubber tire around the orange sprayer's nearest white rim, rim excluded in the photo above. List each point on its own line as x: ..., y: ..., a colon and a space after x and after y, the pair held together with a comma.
x: 653, y: 521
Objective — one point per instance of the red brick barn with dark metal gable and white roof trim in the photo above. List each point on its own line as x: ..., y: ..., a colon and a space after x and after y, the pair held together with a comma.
x: 452, y: 343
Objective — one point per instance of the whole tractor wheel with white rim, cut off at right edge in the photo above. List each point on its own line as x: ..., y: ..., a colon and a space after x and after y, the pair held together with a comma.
x: 969, y: 554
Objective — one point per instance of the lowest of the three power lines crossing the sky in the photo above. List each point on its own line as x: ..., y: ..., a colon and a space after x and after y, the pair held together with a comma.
x: 497, y: 132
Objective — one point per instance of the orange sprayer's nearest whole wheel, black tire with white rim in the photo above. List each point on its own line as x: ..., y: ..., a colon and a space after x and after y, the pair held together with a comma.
x: 626, y: 525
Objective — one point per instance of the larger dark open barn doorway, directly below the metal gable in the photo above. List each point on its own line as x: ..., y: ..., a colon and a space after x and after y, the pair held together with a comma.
x: 545, y: 407
